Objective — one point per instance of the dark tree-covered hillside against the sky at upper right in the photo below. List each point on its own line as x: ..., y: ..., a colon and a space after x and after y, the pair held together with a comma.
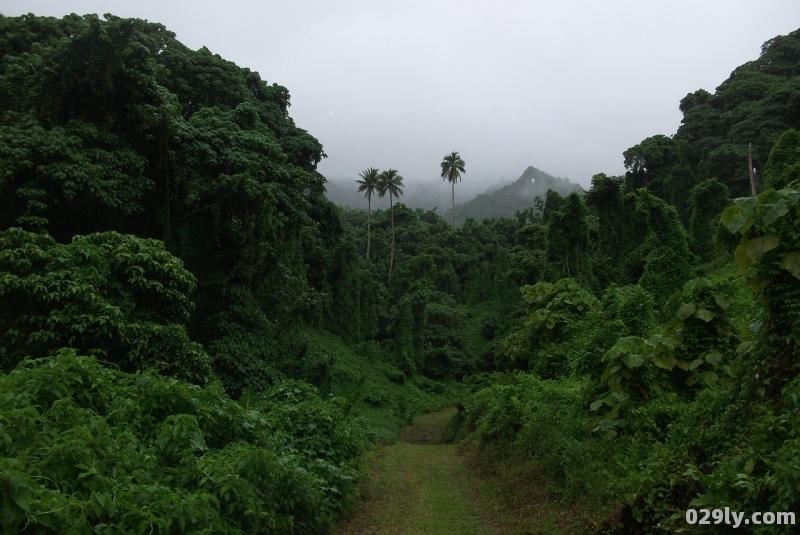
x: 759, y: 101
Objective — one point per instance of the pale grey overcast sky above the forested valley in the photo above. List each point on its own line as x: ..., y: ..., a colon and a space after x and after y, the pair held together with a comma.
x: 565, y: 86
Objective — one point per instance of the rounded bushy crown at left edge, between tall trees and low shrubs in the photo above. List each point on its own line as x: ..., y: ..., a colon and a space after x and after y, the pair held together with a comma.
x: 118, y: 297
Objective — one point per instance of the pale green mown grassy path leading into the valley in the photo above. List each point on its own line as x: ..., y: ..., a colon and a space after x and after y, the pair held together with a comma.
x: 420, y: 486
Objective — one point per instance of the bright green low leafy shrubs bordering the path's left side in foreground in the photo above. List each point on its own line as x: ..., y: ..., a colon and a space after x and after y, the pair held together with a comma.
x: 87, y: 449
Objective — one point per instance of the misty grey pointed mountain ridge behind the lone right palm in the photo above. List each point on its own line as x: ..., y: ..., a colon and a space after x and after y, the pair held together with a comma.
x: 518, y: 195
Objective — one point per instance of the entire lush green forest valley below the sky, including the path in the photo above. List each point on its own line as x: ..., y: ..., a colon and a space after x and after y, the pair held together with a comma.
x: 195, y: 339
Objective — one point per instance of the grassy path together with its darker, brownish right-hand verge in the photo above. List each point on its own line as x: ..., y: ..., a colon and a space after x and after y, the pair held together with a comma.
x: 423, y: 485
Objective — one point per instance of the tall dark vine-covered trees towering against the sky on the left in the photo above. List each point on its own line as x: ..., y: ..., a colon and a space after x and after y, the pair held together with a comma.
x: 114, y: 125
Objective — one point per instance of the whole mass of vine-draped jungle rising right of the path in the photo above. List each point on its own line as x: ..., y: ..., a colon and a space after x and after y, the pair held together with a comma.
x: 662, y: 373
